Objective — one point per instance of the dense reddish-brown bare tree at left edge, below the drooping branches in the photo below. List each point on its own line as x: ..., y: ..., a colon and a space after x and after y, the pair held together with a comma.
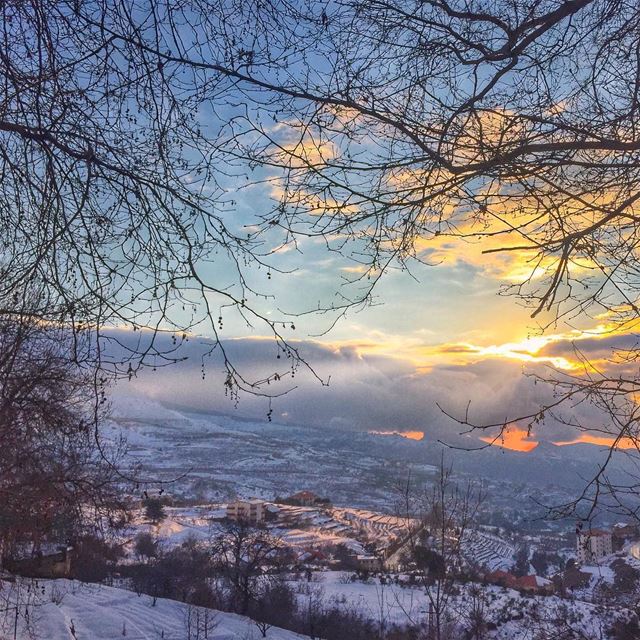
x: 58, y: 478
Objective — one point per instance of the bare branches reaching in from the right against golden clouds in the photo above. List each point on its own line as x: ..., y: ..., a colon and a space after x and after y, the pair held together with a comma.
x: 415, y: 127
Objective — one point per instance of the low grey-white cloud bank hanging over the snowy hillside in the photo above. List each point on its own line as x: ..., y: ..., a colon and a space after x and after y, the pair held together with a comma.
x: 366, y: 391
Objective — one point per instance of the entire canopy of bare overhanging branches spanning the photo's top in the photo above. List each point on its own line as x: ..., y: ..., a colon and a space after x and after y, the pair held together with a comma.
x: 387, y: 130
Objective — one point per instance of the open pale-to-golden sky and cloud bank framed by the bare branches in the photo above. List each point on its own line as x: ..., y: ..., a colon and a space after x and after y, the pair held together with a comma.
x: 436, y: 340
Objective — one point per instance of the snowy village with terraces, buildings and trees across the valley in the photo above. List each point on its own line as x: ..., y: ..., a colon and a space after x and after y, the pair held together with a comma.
x: 346, y: 557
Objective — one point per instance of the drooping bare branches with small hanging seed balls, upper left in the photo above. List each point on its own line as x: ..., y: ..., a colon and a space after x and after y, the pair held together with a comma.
x: 115, y: 204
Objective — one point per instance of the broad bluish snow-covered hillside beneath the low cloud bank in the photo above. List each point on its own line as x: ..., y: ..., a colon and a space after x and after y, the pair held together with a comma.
x: 215, y: 457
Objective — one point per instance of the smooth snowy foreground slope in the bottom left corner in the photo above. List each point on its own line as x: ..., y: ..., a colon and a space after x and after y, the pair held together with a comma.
x: 71, y: 610
